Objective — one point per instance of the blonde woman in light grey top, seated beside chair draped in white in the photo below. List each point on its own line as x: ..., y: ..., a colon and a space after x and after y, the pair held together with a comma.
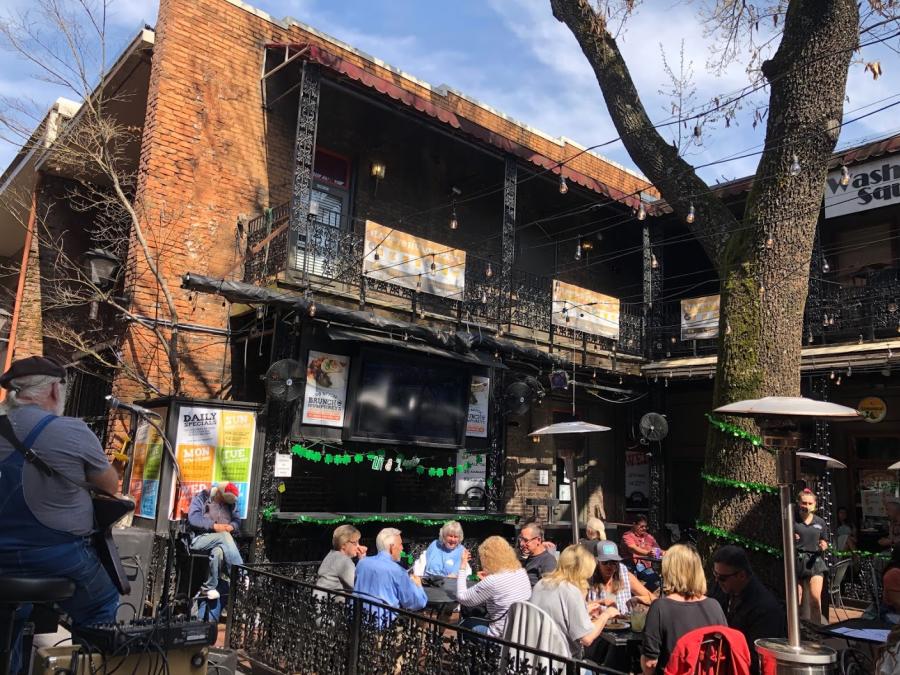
x: 562, y: 595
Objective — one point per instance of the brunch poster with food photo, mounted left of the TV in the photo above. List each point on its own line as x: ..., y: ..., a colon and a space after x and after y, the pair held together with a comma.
x: 325, y: 399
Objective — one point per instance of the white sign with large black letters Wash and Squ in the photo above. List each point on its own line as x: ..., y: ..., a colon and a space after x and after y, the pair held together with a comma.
x: 872, y: 185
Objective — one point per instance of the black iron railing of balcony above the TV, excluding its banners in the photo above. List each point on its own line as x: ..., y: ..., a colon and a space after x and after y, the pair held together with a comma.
x: 326, y: 256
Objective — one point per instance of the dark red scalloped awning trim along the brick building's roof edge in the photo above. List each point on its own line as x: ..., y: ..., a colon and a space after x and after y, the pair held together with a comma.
x: 384, y: 86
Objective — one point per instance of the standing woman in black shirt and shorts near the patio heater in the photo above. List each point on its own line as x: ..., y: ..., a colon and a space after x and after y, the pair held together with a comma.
x: 810, y: 542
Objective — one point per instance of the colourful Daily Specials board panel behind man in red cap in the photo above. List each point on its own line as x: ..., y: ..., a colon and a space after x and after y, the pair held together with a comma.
x: 213, y: 445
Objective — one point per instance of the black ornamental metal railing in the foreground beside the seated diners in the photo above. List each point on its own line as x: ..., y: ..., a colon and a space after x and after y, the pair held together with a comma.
x: 288, y: 625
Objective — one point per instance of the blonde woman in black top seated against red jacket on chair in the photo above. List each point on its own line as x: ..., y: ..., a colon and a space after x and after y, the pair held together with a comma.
x: 683, y: 607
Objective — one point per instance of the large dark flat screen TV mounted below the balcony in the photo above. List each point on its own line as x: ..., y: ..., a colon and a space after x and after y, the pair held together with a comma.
x: 400, y: 398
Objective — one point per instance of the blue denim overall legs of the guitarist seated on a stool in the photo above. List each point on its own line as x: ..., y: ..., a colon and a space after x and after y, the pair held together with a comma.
x: 95, y: 599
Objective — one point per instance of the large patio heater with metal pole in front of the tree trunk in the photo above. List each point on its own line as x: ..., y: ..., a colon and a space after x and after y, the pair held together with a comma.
x: 779, y: 418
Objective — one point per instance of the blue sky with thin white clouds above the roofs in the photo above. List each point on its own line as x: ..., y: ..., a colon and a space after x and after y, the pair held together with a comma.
x: 514, y: 56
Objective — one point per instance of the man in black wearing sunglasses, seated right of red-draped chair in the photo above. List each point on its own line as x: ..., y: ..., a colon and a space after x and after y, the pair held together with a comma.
x: 749, y: 606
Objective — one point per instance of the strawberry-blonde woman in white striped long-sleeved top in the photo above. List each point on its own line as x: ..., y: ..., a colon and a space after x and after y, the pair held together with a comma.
x: 503, y: 582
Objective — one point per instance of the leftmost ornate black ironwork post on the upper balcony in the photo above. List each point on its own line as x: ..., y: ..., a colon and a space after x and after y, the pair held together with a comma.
x: 304, y: 155
